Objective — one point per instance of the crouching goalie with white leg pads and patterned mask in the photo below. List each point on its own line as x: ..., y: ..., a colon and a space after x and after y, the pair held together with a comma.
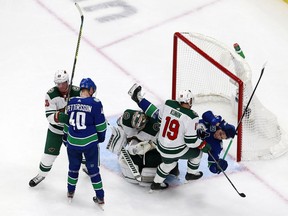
x: 136, y: 134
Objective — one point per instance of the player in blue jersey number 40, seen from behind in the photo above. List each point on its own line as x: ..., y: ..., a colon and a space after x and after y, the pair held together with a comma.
x: 86, y: 129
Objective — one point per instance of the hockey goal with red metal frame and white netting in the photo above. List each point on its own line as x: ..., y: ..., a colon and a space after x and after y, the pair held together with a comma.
x: 220, y: 80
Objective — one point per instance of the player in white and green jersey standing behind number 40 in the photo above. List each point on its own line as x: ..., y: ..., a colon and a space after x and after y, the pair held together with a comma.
x: 55, y: 103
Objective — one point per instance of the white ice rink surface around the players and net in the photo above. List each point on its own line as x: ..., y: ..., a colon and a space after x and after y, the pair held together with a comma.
x: 39, y: 37
